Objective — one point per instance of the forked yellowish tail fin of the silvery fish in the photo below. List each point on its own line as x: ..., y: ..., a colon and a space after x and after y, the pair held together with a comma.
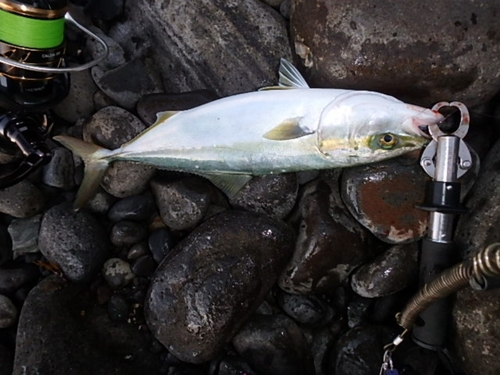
x: 96, y: 160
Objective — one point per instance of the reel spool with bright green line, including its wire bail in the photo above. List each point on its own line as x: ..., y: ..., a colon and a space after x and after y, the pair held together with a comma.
x: 33, y: 72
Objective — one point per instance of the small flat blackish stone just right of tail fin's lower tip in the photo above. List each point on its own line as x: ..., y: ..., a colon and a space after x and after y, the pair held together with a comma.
x: 134, y: 208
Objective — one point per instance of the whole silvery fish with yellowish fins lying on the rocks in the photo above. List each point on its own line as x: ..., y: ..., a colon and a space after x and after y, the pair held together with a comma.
x: 285, y: 128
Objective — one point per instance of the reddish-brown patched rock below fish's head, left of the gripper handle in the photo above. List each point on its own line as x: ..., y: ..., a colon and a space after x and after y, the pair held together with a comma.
x: 383, y: 196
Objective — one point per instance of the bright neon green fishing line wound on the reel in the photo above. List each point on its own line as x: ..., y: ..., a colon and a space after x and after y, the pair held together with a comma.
x: 30, y: 32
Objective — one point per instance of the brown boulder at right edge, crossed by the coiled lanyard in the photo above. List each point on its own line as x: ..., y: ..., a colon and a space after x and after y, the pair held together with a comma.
x: 474, y: 313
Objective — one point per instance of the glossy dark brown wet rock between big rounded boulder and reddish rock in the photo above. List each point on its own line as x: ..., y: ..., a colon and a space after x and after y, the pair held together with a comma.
x: 329, y: 246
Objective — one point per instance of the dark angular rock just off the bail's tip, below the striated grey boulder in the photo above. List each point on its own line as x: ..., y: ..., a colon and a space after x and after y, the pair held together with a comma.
x: 127, y: 83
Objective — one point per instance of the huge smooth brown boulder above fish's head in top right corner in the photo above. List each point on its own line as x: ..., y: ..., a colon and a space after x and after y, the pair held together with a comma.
x: 366, y: 46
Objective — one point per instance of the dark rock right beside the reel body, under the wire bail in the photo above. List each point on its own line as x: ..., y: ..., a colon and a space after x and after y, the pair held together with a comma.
x: 79, y: 102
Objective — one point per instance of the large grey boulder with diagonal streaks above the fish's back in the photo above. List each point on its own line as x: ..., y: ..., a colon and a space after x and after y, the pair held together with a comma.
x: 238, y: 44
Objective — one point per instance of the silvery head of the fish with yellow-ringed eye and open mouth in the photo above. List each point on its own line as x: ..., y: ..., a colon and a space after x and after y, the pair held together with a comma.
x: 364, y: 127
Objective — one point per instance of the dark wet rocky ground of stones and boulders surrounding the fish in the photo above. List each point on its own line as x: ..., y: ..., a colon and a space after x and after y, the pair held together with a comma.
x: 298, y: 273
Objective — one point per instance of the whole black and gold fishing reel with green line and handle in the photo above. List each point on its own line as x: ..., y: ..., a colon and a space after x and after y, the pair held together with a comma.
x: 34, y: 76
